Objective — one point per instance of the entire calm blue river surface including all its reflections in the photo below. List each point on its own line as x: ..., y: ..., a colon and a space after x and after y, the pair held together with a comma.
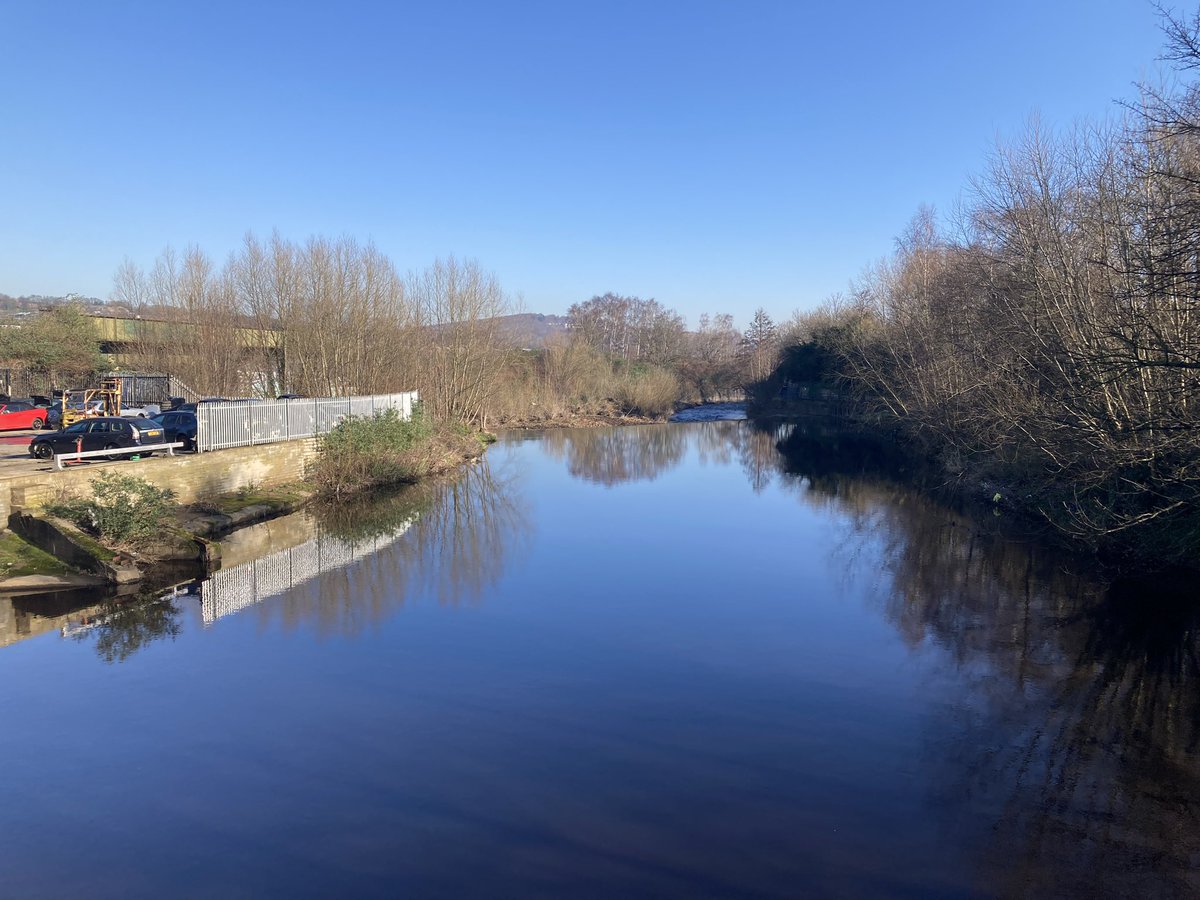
x: 686, y: 661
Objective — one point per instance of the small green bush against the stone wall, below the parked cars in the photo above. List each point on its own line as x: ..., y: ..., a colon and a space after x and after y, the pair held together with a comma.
x: 123, y: 509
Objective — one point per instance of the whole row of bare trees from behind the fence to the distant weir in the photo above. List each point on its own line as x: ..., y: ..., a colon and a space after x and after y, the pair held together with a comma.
x: 333, y: 317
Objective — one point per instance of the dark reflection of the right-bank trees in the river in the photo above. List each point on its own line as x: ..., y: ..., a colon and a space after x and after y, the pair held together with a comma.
x: 1079, y: 729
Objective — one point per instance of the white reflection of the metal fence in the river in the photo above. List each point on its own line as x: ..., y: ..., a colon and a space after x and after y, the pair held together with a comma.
x: 230, y: 591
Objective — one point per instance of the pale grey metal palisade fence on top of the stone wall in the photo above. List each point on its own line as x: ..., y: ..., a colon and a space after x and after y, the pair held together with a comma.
x: 245, y: 423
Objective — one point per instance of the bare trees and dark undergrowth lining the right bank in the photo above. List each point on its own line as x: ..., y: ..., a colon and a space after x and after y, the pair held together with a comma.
x: 1051, y: 343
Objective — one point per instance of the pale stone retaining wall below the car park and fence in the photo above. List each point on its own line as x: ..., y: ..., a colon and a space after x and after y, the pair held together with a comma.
x: 193, y: 477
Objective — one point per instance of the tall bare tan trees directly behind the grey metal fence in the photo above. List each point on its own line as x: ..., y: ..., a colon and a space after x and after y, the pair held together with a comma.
x: 323, y: 317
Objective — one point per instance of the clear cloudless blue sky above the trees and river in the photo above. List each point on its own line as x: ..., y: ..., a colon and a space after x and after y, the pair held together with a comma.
x: 716, y: 157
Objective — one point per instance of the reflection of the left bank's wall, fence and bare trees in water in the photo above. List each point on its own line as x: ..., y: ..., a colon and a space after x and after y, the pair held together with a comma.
x: 338, y: 569
